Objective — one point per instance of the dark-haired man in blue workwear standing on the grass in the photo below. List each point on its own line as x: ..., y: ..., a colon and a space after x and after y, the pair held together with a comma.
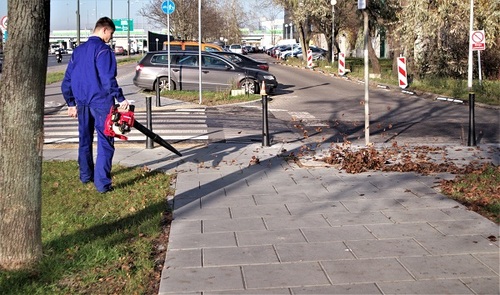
x: 90, y: 90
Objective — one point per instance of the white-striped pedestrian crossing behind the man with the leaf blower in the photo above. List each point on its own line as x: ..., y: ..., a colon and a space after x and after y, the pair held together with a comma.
x: 188, y: 124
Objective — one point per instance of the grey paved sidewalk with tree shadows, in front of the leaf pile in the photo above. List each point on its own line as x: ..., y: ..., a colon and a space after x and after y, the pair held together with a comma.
x: 247, y: 221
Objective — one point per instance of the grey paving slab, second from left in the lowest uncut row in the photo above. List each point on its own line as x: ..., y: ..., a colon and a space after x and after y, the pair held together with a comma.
x: 284, y: 275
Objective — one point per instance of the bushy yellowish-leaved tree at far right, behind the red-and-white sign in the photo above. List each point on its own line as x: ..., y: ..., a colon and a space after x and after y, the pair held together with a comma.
x: 434, y: 35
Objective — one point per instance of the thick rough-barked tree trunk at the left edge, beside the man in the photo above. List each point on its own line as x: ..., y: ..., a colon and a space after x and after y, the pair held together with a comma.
x: 22, y: 92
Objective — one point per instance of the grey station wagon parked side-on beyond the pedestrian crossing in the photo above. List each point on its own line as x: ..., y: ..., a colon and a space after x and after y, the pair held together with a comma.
x: 217, y: 73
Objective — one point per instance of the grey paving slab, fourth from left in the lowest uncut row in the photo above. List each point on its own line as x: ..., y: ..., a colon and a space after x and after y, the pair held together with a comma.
x: 445, y: 267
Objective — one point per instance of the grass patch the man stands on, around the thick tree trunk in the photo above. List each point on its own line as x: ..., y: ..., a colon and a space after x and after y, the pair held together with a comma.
x: 95, y: 243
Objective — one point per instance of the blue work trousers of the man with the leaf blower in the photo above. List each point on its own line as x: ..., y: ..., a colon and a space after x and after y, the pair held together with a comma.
x: 90, y: 119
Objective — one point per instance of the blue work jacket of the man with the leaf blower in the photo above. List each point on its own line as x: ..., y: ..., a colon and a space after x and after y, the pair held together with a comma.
x: 90, y: 77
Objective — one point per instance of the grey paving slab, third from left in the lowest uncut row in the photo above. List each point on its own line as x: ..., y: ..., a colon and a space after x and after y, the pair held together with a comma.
x: 366, y: 271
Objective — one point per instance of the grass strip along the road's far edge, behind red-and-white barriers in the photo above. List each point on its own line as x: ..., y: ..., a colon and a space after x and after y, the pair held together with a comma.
x: 487, y: 93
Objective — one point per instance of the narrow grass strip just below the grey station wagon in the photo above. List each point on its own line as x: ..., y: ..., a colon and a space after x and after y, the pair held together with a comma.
x: 209, y: 98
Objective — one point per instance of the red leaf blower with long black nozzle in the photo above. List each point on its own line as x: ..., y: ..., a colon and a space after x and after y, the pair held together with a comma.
x: 119, y: 122
